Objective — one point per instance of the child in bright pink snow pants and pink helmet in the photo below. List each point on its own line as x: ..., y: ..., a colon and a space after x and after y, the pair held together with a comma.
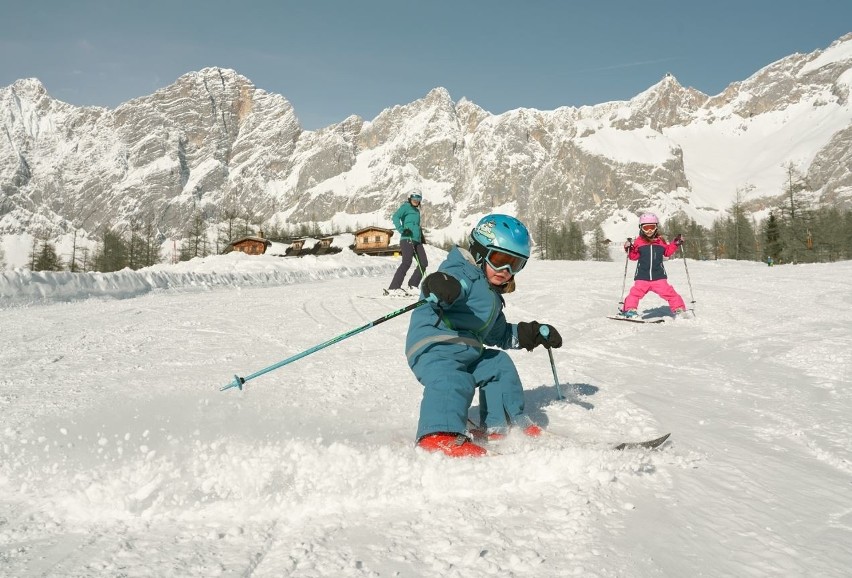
x: 650, y: 250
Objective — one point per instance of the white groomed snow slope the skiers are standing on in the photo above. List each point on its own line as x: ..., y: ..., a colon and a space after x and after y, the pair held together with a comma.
x: 120, y: 456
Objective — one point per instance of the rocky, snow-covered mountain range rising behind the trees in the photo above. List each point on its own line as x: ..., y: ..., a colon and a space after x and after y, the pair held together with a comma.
x: 212, y: 144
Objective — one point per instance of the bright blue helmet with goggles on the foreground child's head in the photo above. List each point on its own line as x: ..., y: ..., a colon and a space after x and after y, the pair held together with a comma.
x: 501, y: 241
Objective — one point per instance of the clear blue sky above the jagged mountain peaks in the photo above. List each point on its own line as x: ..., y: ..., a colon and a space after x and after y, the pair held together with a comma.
x: 331, y: 59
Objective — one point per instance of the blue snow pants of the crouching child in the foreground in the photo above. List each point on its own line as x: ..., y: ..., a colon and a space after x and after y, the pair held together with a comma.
x: 450, y: 374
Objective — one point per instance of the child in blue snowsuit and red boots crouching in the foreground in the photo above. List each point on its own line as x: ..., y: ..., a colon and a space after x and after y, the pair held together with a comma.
x: 454, y: 345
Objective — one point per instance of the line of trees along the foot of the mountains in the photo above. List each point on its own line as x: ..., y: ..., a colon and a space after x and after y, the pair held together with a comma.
x: 792, y: 233
